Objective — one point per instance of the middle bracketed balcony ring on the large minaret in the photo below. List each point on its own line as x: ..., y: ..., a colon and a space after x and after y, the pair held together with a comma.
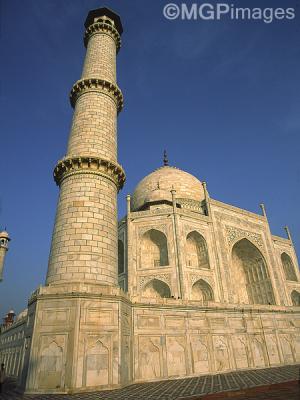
x: 97, y: 85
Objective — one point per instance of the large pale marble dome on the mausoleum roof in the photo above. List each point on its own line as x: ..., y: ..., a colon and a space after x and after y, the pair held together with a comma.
x: 157, y: 186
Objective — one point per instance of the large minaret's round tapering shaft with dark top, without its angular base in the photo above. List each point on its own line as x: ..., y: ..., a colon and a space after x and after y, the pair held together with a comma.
x: 84, y: 241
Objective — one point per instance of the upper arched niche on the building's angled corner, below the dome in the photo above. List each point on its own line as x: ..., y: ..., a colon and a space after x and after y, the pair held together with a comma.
x: 154, y: 249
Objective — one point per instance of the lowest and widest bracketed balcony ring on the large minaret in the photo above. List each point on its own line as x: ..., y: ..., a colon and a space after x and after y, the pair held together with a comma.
x: 69, y: 166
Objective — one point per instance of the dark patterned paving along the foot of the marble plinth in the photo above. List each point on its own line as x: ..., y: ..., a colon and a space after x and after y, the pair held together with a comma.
x: 234, y: 385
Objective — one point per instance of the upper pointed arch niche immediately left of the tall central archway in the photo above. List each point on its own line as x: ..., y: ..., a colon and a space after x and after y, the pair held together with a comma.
x: 196, y: 251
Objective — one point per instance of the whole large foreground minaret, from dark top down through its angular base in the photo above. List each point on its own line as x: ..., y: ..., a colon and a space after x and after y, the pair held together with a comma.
x: 78, y: 335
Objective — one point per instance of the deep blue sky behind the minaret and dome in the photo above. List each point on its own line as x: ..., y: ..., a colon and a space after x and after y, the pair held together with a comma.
x: 222, y: 96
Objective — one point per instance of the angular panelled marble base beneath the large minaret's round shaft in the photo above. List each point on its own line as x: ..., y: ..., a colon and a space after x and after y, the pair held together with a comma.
x: 80, y: 339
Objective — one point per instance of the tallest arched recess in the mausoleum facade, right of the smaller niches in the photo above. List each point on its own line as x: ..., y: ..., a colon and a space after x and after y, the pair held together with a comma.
x: 250, y: 277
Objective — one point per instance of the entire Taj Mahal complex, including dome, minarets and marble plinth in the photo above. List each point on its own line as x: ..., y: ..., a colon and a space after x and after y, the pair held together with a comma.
x: 183, y: 285
